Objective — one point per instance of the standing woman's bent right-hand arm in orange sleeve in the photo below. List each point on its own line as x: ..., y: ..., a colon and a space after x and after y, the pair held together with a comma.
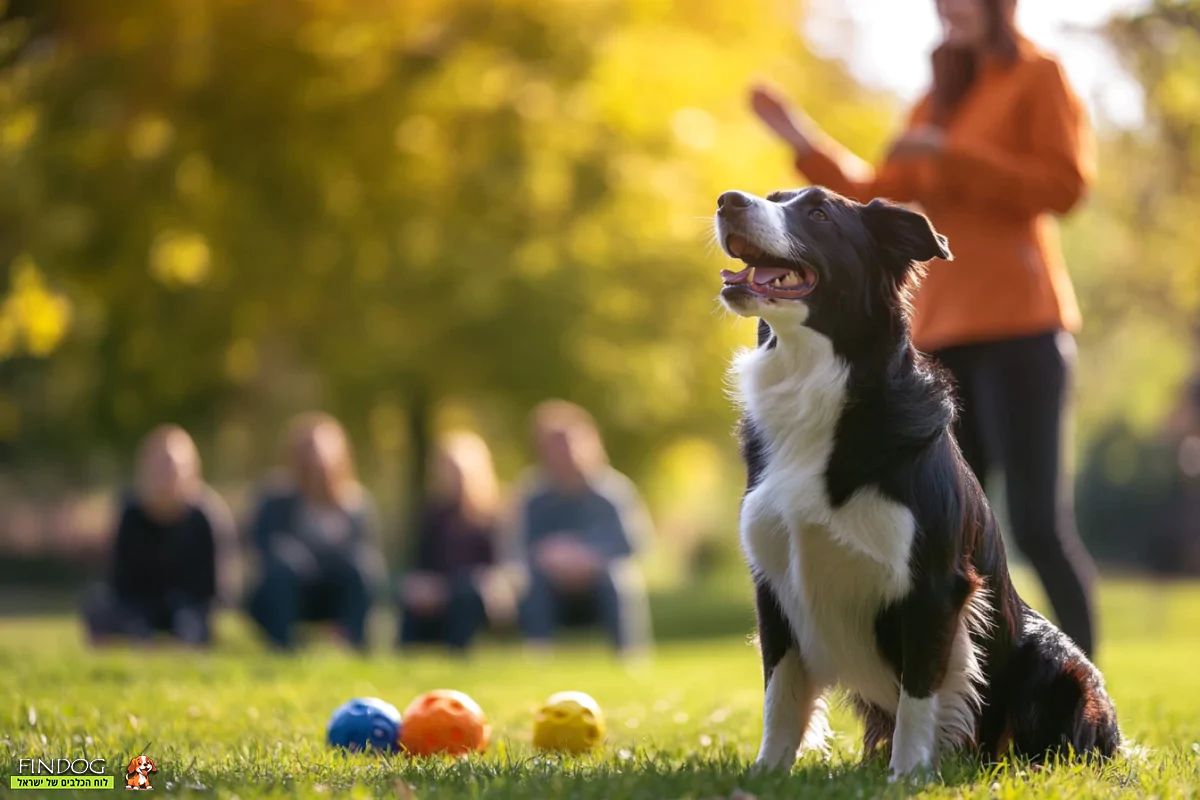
x: 1053, y: 177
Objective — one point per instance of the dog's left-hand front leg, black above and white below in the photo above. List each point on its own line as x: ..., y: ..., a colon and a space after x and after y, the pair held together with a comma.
x: 793, y: 713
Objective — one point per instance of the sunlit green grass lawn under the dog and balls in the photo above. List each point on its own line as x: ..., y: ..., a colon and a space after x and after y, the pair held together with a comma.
x: 243, y: 723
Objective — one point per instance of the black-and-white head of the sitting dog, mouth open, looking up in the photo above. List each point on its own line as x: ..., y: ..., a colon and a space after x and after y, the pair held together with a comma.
x: 812, y: 257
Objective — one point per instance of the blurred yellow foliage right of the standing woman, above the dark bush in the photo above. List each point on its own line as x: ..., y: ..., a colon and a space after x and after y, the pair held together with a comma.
x: 1133, y: 249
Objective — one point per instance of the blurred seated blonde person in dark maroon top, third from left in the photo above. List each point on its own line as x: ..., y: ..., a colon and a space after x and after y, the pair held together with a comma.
x: 453, y: 590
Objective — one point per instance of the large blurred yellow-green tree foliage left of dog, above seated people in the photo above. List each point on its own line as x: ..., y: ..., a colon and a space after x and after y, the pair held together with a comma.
x: 233, y: 210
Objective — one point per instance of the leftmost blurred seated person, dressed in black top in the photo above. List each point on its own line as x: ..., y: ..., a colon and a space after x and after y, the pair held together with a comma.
x: 165, y: 569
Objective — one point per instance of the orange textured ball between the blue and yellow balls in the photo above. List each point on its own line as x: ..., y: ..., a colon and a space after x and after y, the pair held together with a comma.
x: 445, y: 721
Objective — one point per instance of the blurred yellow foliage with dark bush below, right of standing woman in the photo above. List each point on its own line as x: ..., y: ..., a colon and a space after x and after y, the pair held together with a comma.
x: 1135, y: 250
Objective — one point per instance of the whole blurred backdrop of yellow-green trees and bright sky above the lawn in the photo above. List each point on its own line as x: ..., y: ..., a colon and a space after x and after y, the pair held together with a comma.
x: 433, y: 214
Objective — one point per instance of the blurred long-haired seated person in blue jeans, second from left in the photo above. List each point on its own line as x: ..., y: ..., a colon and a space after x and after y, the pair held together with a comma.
x: 315, y: 540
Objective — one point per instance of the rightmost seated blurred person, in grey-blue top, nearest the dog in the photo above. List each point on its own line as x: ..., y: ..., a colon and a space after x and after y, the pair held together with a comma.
x: 578, y: 526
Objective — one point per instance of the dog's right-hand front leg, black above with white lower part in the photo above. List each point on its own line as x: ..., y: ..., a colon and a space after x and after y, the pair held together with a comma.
x: 929, y: 623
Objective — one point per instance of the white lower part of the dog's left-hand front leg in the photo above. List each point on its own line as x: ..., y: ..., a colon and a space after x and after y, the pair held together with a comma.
x: 794, y: 715
